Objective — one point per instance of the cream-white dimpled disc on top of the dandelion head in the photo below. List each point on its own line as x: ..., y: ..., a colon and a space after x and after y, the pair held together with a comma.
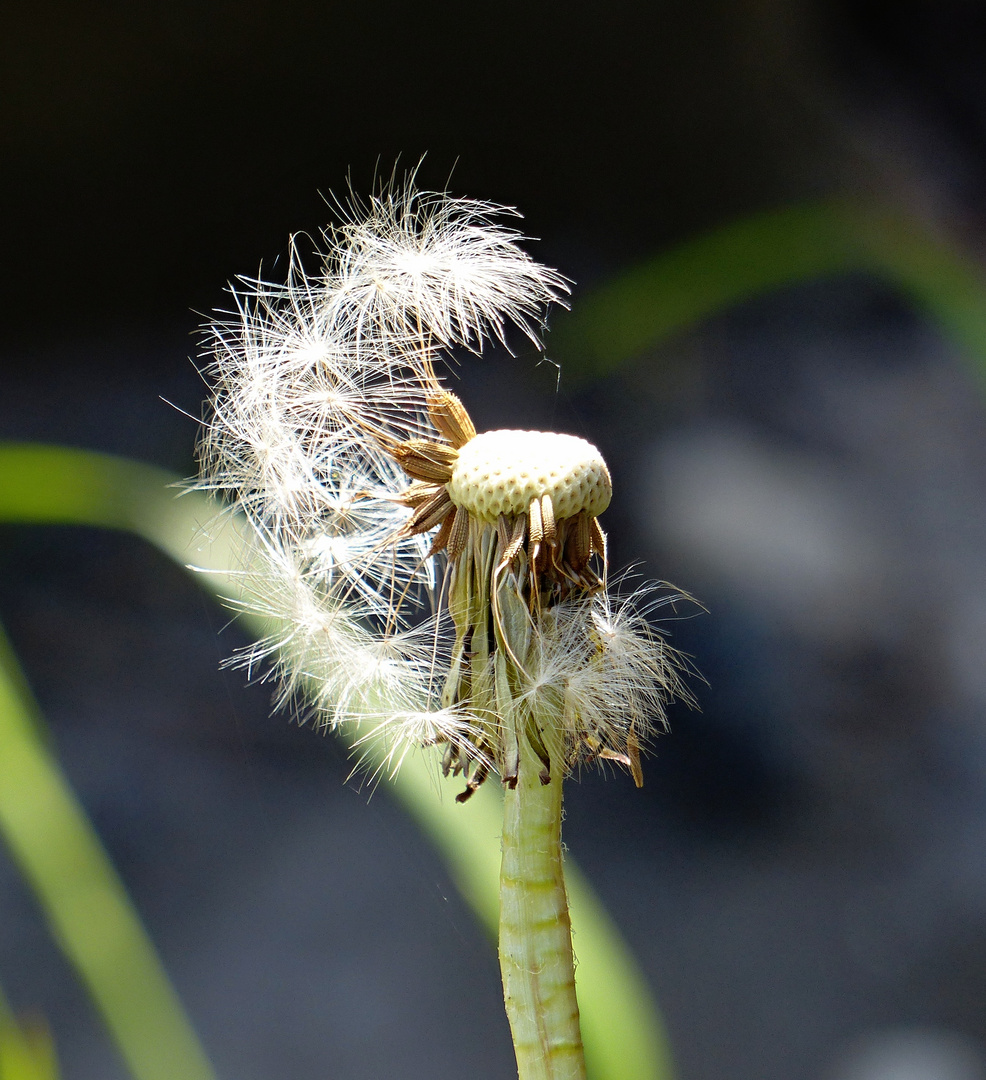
x: 502, y: 472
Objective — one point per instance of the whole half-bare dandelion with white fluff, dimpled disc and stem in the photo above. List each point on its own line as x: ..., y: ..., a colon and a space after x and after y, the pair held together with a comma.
x: 430, y: 586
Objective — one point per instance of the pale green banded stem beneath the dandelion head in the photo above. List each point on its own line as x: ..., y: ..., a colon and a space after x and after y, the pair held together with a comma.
x: 536, y: 954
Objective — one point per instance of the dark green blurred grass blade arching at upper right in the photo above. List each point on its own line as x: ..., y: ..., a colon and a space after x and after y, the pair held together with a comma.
x: 769, y: 251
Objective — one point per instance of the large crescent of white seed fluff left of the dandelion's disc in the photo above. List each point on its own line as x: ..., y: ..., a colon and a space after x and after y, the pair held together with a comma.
x: 315, y: 382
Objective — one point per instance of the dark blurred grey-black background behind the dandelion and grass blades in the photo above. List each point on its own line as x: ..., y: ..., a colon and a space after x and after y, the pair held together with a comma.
x: 804, y: 875
